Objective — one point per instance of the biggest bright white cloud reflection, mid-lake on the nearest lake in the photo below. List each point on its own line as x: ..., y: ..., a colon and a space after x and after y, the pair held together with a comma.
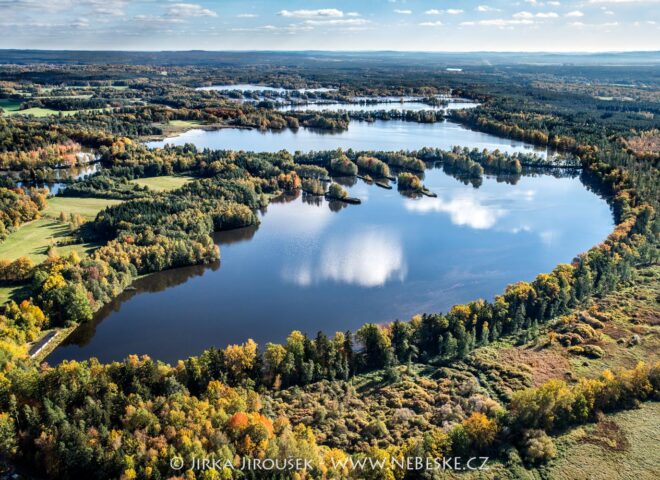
x: 369, y: 258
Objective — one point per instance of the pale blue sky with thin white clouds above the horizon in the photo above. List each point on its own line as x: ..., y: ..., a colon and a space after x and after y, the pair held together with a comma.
x: 422, y: 25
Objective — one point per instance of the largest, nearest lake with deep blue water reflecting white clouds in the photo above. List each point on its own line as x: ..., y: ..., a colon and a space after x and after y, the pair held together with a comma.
x: 313, y: 265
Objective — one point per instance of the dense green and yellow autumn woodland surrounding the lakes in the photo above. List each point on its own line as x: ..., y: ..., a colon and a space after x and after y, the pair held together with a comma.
x: 127, y: 419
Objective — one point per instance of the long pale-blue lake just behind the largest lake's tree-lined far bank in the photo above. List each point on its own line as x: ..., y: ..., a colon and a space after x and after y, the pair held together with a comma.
x: 378, y: 135
